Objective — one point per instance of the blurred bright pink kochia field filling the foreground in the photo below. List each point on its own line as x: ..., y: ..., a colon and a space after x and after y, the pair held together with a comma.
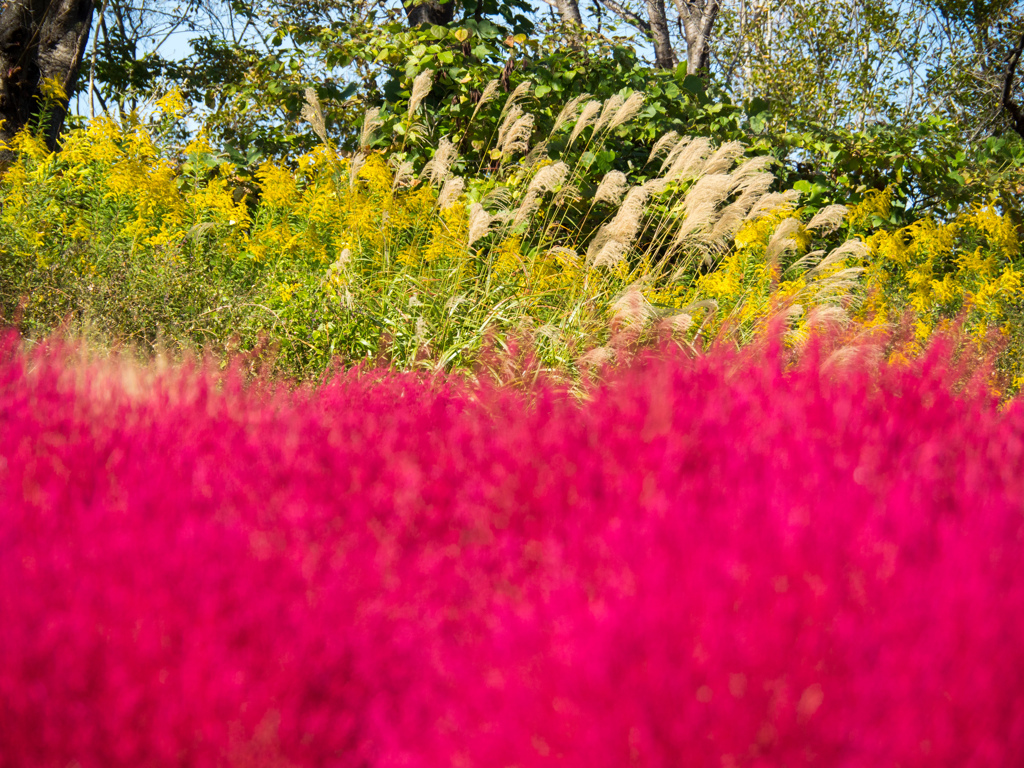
x: 709, y: 563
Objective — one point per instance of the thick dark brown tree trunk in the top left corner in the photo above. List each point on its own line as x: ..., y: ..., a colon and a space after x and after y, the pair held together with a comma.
x: 40, y: 40
